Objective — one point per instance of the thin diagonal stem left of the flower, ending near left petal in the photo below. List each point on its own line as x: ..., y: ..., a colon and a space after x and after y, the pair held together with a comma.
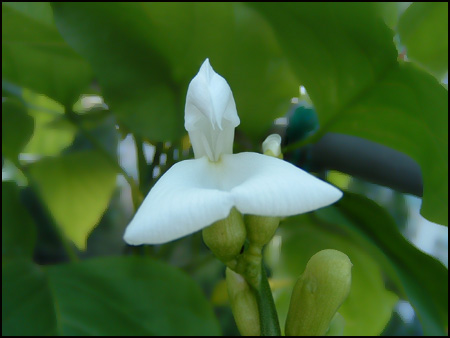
x: 135, y: 193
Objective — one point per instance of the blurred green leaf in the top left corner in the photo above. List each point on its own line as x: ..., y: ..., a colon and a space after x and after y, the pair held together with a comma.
x: 35, y: 56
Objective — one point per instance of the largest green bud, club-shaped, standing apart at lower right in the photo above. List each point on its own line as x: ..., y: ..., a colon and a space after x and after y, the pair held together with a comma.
x: 318, y: 294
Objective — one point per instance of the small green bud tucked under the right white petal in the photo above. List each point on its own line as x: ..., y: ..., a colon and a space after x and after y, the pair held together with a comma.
x: 260, y: 229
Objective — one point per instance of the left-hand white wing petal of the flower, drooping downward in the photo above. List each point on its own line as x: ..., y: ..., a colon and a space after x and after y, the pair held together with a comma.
x: 183, y: 201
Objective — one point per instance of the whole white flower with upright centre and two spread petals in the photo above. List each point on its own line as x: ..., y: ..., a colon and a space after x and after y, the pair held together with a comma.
x: 193, y: 194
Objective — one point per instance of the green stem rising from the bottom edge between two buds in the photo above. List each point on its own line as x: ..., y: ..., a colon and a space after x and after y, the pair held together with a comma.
x: 267, y: 312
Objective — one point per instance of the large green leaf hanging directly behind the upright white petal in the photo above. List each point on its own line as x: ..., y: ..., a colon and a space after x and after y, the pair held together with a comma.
x: 150, y: 60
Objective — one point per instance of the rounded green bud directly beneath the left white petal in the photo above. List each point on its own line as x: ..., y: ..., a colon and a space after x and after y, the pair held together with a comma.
x: 226, y: 237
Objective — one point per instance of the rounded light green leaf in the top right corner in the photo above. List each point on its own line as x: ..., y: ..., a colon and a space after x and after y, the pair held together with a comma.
x: 423, y: 29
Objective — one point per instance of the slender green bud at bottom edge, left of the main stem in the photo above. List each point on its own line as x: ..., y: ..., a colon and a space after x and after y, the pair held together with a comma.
x: 243, y: 304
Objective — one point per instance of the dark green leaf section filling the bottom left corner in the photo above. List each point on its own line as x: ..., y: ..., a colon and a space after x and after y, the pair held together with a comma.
x: 28, y: 308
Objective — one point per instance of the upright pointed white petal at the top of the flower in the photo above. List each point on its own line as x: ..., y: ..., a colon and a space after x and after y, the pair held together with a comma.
x: 210, y: 114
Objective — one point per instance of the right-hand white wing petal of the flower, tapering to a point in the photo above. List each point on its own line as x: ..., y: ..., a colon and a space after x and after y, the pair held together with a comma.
x: 267, y: 186
